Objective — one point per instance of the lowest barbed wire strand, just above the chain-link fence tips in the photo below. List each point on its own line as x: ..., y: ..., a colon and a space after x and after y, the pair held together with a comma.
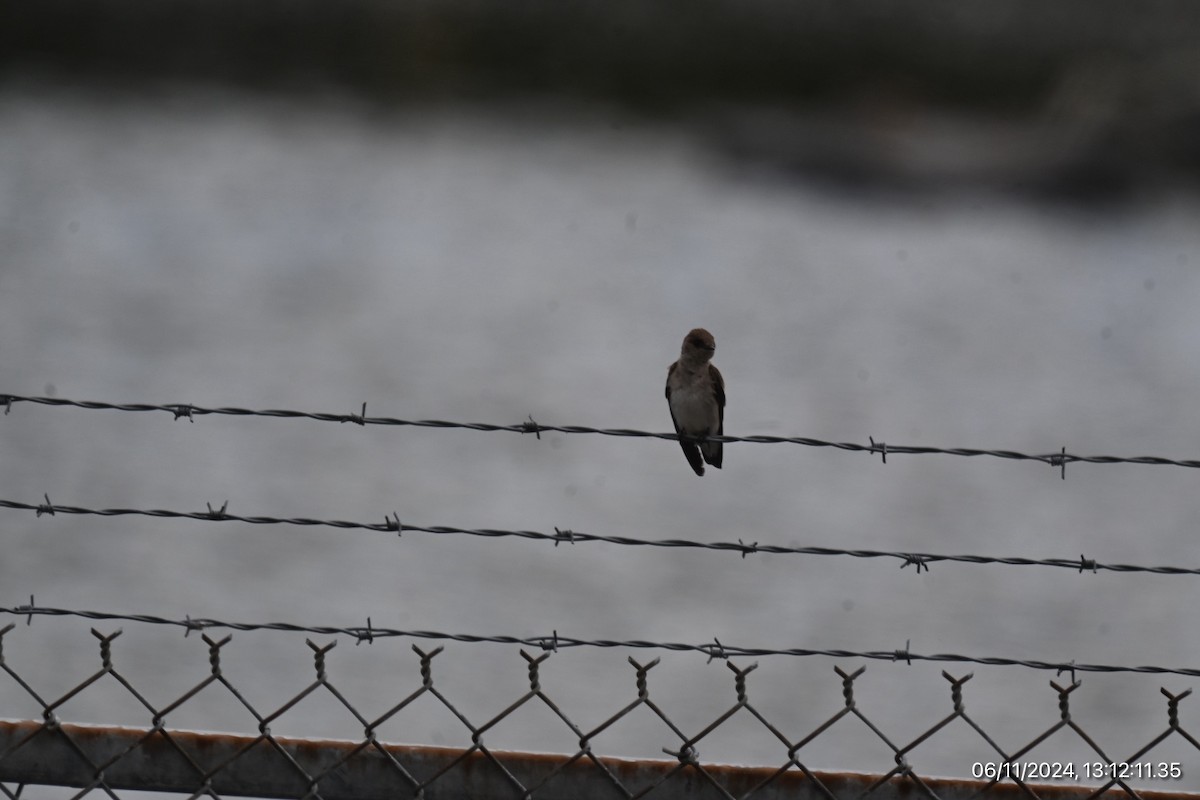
x: 715, y: 649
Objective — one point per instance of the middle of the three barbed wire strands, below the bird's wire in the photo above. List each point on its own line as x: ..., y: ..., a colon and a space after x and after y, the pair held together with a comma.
x: 561, y: 537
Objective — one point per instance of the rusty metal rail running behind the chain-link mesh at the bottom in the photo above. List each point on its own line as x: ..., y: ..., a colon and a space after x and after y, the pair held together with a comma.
x: 277, y: 767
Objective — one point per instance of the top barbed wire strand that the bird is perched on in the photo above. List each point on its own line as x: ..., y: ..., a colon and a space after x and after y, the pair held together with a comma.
x: 182, y: 411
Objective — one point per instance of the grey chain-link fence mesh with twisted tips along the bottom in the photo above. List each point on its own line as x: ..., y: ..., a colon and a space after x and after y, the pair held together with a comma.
x: 263, y: 761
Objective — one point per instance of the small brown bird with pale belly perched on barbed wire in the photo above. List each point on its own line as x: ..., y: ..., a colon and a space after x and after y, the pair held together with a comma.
x: 697, y: 398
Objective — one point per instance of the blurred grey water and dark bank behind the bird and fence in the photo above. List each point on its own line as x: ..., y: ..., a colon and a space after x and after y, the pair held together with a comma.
x: 961, y: 225
